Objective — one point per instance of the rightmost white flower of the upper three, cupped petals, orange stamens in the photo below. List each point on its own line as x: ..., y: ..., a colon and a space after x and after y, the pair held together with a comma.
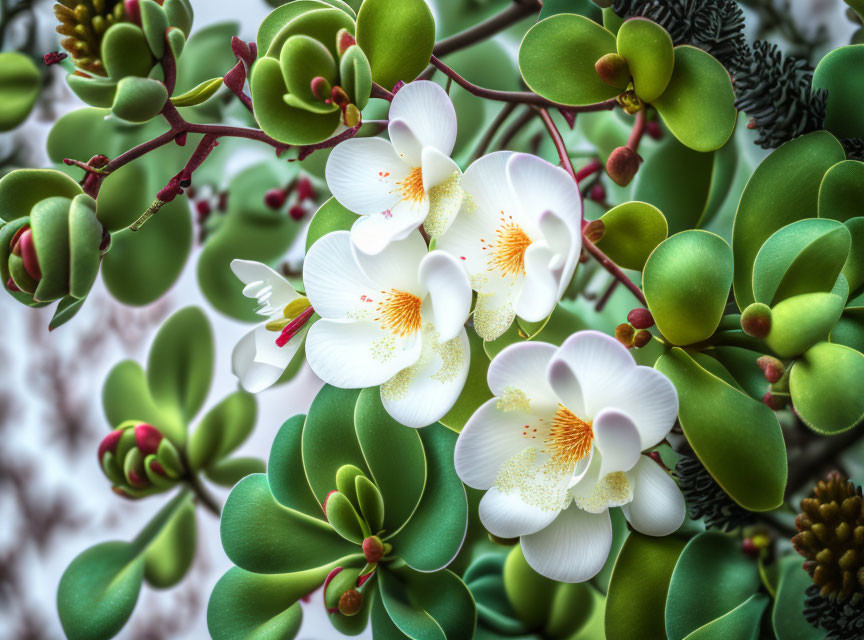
x: 518, y: 234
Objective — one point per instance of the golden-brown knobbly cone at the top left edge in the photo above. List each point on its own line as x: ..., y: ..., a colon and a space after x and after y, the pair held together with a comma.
x: 84, y: 22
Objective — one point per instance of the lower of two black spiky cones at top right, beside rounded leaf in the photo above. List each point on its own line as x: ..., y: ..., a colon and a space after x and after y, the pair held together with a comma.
x: 776, y: 94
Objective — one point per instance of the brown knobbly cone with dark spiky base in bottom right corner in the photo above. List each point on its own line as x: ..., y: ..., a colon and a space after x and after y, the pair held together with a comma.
x: 831, y: 538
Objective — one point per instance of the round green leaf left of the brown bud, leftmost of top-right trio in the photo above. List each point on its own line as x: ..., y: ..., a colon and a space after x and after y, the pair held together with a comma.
x: 557, y: 58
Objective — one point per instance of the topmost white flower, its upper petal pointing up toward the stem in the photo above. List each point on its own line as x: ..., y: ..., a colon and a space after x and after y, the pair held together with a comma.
x: 398, y: 185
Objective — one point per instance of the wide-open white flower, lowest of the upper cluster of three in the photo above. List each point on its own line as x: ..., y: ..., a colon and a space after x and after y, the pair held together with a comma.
x: 394, y: 319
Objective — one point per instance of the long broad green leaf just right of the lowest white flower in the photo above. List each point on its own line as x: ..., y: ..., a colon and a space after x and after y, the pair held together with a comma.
x: 737, y: 438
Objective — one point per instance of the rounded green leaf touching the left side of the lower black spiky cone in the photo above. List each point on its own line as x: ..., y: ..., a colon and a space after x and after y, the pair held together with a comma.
x: 698, y: 105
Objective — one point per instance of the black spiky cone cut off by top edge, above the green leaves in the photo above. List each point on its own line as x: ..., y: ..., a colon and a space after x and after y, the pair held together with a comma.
x: 715, y: 26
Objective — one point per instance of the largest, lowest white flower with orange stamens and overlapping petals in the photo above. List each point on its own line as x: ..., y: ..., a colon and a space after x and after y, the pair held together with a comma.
x: 561, y: 443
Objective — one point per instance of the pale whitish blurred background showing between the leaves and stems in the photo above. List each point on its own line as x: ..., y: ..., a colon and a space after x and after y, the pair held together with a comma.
x: 54, y: 500
